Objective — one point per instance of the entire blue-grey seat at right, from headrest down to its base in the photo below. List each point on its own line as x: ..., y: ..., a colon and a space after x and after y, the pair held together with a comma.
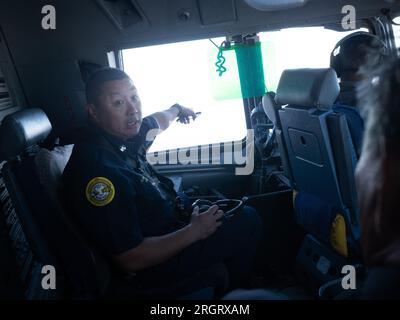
x: 321, y: 156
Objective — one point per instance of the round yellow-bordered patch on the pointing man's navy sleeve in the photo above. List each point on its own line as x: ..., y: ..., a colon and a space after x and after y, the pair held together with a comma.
x: 100, y: 191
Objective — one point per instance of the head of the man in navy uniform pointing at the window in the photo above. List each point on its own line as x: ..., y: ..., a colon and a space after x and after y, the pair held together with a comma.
x: 113, y: 103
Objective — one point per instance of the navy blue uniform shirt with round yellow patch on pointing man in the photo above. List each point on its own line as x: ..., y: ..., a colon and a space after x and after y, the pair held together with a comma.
x: 113, y: 194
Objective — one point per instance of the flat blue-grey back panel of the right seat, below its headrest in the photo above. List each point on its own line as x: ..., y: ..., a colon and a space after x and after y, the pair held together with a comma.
x: 310, y: 153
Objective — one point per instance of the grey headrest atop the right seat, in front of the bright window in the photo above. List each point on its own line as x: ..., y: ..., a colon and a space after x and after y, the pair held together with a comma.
x: 308, y: 88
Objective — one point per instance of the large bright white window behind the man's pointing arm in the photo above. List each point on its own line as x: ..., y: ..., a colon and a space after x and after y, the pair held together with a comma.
x: 185, y: 73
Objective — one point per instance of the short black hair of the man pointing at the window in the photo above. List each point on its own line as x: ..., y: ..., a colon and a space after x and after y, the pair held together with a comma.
x: 98, y: 78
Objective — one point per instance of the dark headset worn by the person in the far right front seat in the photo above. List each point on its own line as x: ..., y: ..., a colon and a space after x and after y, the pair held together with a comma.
x: 340, y: 63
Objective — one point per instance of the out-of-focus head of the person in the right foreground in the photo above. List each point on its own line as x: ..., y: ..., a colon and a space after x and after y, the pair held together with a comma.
x: 378, y: 170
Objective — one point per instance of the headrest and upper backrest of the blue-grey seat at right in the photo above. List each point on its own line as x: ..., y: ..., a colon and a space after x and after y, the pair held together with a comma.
x: 320, y: 149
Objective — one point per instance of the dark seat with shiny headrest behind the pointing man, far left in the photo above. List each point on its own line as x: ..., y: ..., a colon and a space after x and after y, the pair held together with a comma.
x: 51, y: 236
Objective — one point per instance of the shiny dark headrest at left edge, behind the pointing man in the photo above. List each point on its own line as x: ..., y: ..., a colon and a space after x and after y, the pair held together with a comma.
x: 21, y: 130
